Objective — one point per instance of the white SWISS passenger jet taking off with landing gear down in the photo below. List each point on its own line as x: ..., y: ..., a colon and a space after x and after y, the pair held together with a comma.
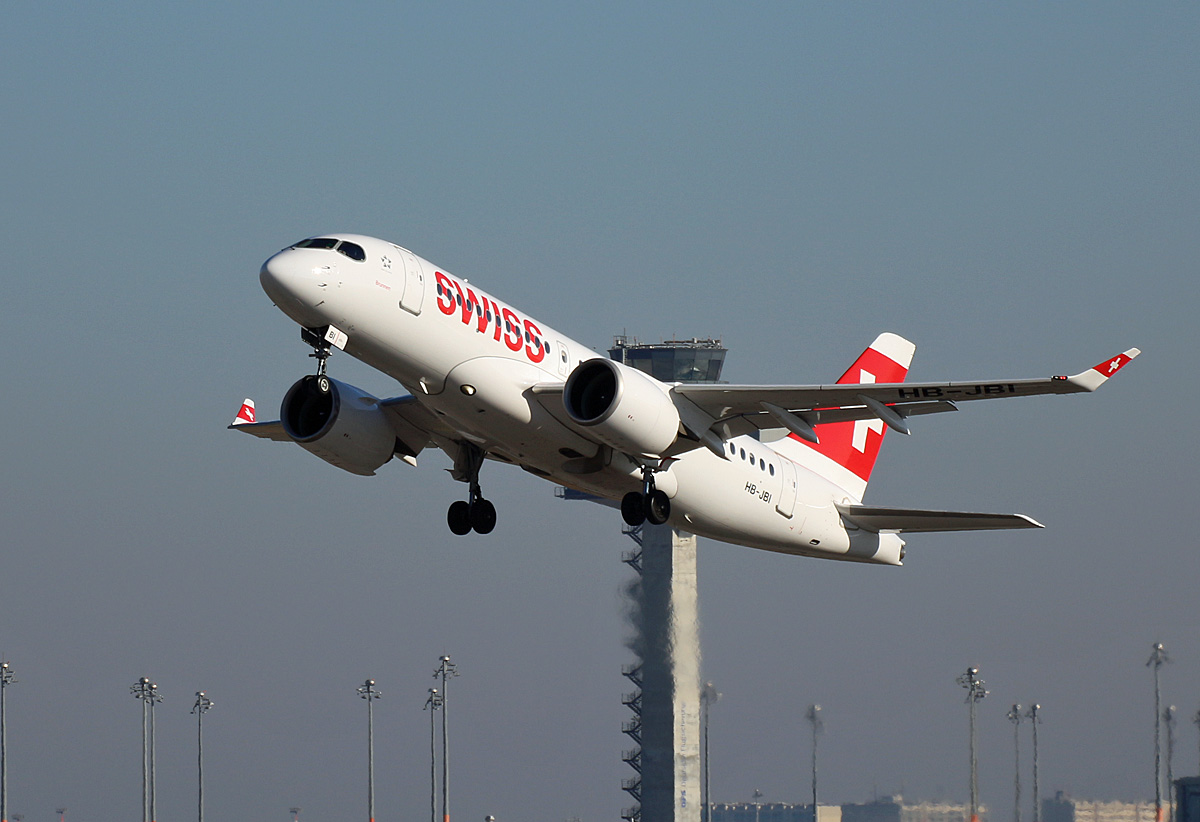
x: 776, y: 467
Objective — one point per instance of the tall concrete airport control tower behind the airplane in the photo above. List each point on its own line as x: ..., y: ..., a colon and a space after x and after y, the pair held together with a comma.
x: 664, y: 611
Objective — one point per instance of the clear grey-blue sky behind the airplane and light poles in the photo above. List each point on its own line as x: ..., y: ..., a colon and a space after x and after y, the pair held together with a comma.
x: 1012, y: 187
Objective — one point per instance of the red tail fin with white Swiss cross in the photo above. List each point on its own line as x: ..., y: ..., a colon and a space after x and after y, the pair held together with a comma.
x: 848, y: 451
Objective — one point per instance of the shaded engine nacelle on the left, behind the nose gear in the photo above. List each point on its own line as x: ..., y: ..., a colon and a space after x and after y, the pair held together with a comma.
x: 344, y: 427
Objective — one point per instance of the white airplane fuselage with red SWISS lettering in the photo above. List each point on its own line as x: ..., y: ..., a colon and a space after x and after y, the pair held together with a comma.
x: 435, y: 334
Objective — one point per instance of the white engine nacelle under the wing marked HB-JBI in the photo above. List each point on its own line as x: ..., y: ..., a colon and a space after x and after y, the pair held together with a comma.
x: 622, y: 406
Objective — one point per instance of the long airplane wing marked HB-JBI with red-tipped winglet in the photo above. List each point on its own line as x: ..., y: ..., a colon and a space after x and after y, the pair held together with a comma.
x: 890, y: 401
